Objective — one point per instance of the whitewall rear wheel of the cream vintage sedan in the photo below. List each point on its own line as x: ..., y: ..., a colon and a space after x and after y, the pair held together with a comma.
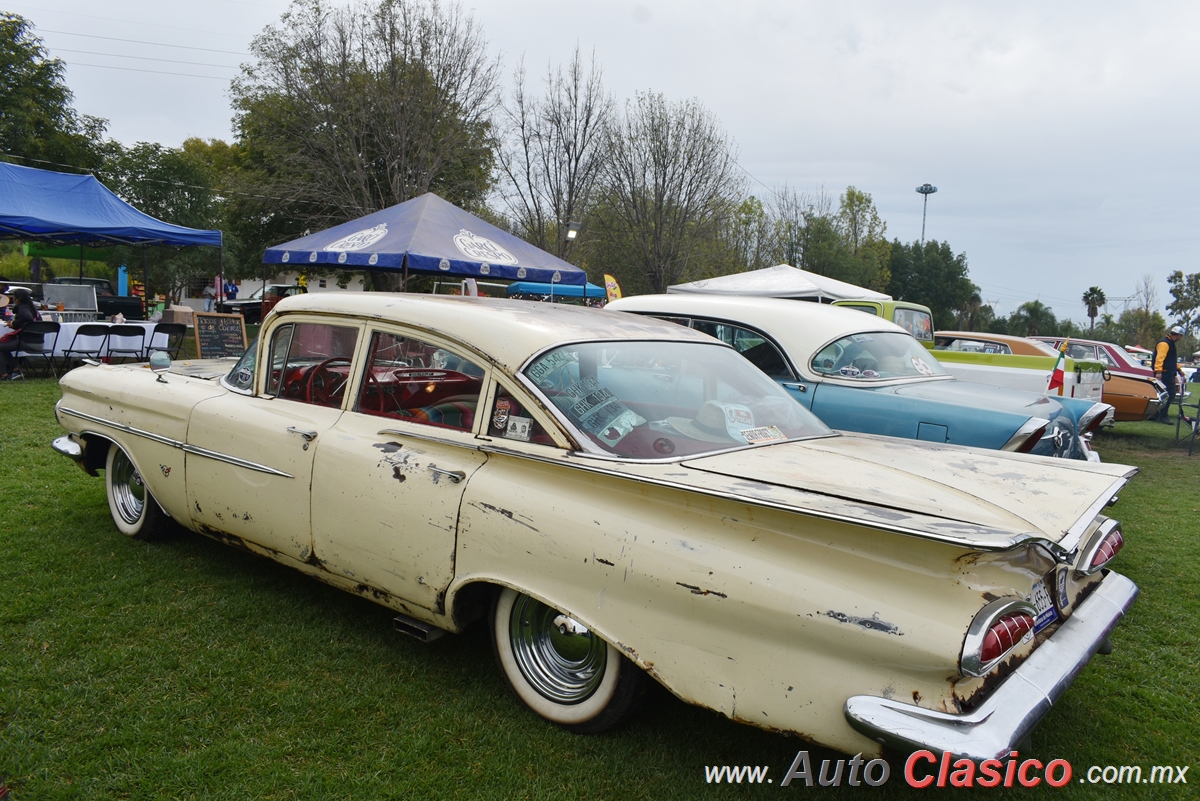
x: 562, y: 671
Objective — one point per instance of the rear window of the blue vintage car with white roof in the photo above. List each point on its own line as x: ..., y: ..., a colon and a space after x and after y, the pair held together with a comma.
x: 877, y: 357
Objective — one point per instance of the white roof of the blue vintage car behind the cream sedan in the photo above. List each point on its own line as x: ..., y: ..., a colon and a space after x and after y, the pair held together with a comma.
x: 796, y: 324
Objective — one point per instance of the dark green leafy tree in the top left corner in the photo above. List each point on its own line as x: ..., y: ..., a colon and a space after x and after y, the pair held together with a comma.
x: 38, y: 124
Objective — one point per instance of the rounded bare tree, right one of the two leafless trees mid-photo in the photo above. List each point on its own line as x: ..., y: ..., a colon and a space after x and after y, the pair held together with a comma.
x: 671, y: 182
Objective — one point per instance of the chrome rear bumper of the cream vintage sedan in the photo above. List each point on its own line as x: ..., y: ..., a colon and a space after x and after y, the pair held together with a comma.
x: 1018, y: 704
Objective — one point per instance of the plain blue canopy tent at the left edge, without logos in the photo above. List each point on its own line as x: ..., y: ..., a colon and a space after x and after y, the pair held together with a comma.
x: 65, y: 209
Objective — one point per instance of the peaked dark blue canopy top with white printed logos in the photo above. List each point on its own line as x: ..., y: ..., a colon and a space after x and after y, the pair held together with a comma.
x: 431, y: 237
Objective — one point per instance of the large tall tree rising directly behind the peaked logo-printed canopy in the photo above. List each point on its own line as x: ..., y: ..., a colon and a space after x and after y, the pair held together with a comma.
x: 352, y: 110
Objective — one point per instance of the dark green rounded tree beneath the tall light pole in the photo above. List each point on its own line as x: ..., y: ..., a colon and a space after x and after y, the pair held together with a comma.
x: 931, y: 274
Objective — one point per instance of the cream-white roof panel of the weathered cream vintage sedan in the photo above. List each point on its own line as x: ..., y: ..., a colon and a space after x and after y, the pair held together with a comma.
x: 509, y: 332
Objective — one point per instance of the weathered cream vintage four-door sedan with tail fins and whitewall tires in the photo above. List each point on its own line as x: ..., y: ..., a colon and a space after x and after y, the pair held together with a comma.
x: 625, y: 499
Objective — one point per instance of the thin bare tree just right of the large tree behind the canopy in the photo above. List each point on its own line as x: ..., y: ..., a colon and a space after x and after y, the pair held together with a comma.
x: 554, y: 155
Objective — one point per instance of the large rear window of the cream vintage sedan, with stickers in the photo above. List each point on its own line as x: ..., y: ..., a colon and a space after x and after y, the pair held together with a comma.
x: 656, y: 400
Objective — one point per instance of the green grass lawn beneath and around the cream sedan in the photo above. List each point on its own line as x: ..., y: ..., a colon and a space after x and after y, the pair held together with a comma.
x: 187, y: 670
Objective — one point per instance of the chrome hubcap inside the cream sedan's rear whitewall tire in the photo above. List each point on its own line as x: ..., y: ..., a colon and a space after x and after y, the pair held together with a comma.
x: 566, y: 667
